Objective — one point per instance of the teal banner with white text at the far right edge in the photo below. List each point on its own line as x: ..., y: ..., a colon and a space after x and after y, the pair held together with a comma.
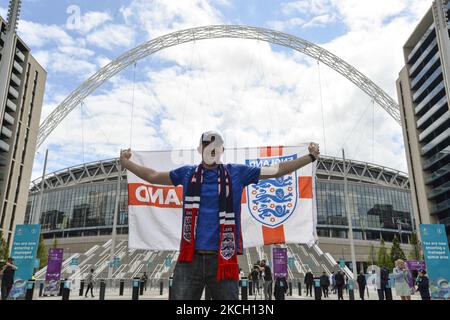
x: 435, y: 250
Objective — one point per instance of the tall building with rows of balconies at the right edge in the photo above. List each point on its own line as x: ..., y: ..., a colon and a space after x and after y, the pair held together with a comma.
x: 423, y: 90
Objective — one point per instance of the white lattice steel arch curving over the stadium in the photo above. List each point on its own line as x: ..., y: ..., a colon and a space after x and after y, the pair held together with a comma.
x: 215, y: 32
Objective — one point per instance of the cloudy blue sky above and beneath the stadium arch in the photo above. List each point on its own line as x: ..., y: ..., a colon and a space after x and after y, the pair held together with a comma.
x: 254, y: 93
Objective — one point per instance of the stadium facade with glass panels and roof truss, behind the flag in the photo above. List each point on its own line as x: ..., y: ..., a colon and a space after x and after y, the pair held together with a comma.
x: 78, y: 206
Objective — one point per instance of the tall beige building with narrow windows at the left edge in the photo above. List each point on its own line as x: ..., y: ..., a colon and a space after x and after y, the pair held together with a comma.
x: 22, y: 82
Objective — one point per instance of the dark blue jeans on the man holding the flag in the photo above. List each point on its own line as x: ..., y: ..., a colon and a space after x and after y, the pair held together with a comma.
x: 190, y: 278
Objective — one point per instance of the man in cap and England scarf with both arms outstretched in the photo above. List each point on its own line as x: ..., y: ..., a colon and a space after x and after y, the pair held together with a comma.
x: 211, y: 215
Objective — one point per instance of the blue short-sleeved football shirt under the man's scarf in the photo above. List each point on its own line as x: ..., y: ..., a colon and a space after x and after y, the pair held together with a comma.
x: 208, y: 225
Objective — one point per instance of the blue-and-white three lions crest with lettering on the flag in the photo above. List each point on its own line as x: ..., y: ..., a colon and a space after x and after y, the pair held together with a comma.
x: 272, y: 201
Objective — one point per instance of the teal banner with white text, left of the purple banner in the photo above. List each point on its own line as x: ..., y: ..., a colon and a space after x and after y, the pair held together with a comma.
x: 24, y: 249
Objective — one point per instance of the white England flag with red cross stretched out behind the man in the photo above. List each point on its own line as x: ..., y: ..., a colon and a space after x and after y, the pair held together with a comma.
x: 273, y: 211
